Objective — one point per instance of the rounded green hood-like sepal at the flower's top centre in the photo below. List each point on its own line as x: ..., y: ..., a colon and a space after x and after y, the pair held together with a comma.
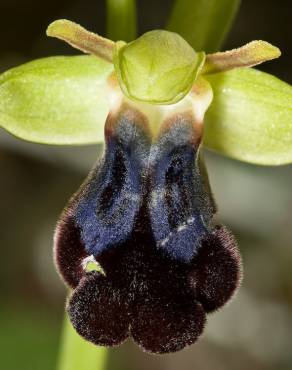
x: 159, y: 67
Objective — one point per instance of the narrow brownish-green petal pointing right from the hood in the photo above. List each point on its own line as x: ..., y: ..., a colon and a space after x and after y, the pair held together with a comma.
x: 251, y: 54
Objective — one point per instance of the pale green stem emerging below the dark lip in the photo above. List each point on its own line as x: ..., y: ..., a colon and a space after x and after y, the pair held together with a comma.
x: 77, y: 354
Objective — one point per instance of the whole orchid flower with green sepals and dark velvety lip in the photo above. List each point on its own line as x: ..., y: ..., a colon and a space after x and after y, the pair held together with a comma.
x: 138, y: 244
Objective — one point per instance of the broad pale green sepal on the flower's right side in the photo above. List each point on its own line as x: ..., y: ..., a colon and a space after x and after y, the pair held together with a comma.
x: 250, y: 118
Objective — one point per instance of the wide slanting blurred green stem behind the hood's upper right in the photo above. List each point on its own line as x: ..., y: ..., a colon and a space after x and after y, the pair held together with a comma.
x: 203, y: 23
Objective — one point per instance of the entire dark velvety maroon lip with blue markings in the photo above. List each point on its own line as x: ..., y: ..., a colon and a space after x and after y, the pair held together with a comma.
x: 145, y: 213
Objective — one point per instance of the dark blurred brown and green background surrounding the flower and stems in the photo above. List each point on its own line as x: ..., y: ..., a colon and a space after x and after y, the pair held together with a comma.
x: 255, y: 330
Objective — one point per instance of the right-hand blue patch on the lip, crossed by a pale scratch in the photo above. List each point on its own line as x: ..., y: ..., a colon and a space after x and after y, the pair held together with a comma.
x: 176, y: 219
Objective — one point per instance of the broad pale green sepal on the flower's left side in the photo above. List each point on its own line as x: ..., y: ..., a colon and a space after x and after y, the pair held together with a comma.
x: 56, y: 100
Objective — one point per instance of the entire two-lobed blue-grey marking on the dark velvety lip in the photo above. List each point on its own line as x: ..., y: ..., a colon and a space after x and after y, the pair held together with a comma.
x: 116, y: 187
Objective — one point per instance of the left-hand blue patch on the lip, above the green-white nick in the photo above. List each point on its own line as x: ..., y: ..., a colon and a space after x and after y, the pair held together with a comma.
x: 106, y: 213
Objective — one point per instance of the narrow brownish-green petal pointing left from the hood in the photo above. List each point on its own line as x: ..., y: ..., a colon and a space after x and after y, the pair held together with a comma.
x: 81, y: 39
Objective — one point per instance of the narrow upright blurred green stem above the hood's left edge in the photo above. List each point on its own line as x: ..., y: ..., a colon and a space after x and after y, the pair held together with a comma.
x: 121, y: 20
